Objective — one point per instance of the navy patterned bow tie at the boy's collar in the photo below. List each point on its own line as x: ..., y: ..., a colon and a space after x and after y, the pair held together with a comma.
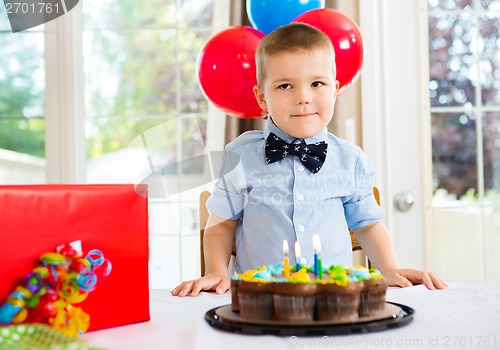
x: 311, y: 155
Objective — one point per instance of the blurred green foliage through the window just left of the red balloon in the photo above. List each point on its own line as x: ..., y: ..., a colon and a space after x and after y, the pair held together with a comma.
x: 143, y: 67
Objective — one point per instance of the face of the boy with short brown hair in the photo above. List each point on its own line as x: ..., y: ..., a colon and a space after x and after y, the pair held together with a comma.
x: 299, y: 91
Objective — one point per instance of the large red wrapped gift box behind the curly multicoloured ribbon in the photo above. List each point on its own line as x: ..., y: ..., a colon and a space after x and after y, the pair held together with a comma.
x: 35, y: 219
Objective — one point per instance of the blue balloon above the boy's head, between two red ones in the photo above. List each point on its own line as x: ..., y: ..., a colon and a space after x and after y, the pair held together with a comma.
x: 267, y: 15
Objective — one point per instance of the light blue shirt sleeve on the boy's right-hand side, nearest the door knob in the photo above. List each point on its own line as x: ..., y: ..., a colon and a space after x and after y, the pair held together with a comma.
x: 361, y: 209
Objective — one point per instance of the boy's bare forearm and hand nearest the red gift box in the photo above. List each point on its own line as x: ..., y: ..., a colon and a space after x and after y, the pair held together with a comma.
x: 218, y: 244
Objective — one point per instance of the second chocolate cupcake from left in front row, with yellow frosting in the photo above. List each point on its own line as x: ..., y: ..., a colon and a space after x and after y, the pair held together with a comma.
x: 294, y: 300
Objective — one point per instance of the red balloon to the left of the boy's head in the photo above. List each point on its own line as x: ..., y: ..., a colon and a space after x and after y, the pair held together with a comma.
x: 226, y: 71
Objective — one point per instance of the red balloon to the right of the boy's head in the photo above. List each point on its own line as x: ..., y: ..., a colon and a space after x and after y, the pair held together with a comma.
x: 346, y: 39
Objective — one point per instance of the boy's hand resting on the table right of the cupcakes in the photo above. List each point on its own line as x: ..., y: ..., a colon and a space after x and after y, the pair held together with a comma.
x: 409, y: 277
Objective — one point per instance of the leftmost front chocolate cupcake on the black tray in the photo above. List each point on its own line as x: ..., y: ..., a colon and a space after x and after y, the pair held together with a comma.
x: 255, y: 298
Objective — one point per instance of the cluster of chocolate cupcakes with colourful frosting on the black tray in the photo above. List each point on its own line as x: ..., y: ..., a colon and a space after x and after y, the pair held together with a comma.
x: 337, y: 294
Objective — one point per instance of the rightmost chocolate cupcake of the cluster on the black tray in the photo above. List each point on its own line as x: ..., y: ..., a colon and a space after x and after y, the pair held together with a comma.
x: 372, y: 298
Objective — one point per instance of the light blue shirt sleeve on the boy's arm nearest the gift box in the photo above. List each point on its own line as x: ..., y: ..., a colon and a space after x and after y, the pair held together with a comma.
x: 227, y: 199
